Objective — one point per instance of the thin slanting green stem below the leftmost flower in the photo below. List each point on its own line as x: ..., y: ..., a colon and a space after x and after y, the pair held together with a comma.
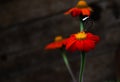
x: 68, y: 66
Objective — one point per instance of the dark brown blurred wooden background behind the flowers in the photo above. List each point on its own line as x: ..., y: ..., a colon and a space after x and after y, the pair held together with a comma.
x: 26, y: 26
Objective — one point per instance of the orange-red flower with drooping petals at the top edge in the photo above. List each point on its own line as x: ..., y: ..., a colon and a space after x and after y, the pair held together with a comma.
x: 80, y: 9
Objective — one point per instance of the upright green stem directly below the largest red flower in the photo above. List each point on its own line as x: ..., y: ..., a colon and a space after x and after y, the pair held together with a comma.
x: 82, y: 66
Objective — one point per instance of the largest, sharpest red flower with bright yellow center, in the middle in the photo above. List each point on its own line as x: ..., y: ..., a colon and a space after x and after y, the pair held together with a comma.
x: 81, y: 42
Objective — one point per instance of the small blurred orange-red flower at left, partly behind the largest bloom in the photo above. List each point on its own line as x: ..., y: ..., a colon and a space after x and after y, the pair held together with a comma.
x: 58, y: 43
